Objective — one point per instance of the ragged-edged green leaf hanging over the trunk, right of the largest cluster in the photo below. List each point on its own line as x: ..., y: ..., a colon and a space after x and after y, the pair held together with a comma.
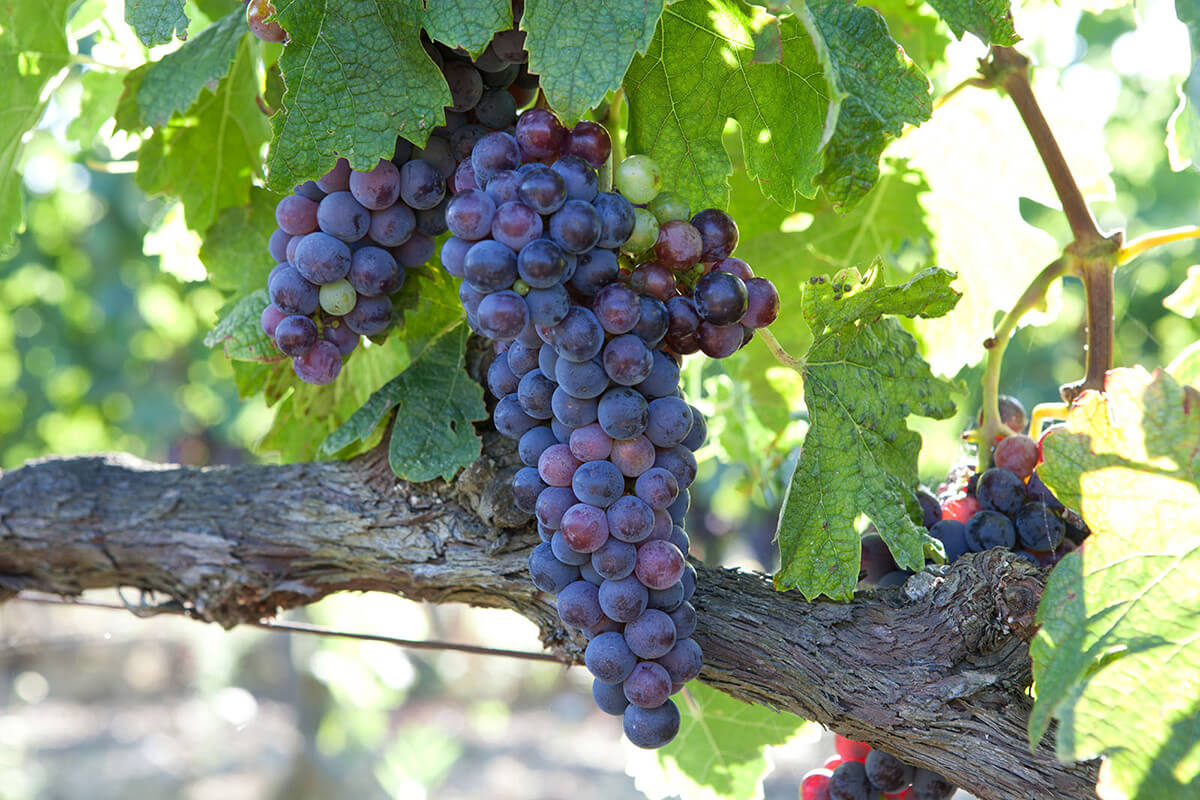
x: 863, y: 377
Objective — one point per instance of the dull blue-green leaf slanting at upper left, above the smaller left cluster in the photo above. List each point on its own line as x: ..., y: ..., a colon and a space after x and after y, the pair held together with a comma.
x: 173, y: 83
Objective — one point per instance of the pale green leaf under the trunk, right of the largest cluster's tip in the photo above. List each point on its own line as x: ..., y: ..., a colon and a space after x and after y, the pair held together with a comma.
x: 721, y: 751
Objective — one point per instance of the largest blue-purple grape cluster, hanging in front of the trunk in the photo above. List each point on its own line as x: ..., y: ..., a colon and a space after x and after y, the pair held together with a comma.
x: 587, y: 382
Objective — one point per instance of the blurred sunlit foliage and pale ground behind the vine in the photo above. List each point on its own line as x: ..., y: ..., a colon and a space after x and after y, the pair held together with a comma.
x: 105, y: 306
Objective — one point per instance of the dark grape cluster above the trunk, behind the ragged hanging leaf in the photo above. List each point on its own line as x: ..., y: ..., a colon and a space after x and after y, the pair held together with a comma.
x: 1006, y: 506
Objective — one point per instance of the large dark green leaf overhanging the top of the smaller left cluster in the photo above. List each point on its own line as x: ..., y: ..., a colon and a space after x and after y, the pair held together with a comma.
x: 356, y: 79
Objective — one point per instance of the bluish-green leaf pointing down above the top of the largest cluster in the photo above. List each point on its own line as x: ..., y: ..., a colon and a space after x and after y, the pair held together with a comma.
x: 581, y: 55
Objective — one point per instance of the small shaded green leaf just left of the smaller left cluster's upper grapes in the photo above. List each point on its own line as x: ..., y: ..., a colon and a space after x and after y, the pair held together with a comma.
x: 236, y: 246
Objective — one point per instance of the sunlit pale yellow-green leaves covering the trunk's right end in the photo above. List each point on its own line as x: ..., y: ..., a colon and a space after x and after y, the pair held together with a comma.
x: 1117, y: 659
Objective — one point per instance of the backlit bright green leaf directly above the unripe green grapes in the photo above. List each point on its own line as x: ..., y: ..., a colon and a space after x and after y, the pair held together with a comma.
x: 698, y: 74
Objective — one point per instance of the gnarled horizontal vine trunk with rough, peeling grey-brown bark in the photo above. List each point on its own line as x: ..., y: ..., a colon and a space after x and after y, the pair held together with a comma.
x: 934, y: 672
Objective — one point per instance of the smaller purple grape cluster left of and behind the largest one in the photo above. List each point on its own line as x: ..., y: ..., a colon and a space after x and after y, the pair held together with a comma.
x: 345, y: 242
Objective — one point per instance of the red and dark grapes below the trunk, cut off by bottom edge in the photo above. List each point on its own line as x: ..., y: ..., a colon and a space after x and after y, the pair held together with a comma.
x: 860, y: 773
